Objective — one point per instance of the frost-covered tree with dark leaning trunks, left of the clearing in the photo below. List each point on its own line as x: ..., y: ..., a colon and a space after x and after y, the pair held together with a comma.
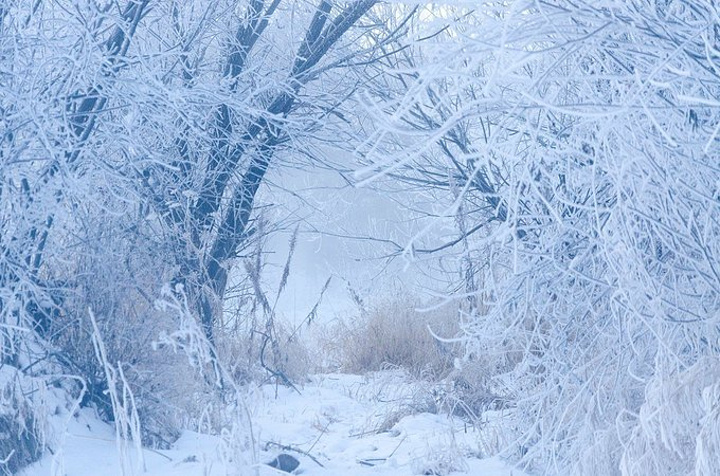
x: 178, y: 108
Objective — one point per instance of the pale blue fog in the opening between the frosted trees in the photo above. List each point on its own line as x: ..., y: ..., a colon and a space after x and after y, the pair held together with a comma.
x: 350, y: 234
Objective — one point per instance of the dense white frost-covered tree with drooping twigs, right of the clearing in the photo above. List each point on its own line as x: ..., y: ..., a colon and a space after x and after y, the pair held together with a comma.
x: 581, y: 139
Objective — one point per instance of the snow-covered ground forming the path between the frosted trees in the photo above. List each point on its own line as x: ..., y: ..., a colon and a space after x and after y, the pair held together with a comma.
x: 337, y: 425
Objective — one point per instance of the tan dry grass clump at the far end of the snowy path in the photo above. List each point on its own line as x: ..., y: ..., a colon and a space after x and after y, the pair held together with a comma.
x: 395, y: 334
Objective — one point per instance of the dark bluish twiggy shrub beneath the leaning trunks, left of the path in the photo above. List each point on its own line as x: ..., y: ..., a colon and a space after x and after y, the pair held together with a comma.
x: 161, y: 381
